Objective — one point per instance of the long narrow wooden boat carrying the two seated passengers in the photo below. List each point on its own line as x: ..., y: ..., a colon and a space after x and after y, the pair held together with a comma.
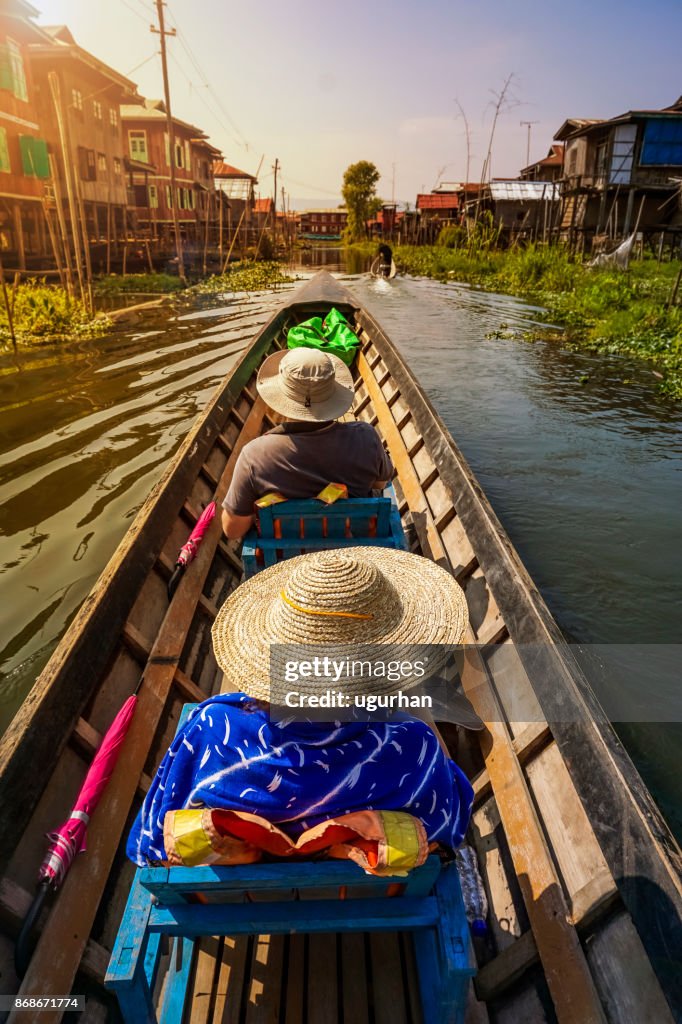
x: 582, y: 873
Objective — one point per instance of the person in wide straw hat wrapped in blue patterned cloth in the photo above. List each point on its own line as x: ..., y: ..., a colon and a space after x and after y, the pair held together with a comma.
x: 235, y: 754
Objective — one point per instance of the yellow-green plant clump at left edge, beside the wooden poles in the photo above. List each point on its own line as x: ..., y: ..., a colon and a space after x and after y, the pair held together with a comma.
x: 46, y: 314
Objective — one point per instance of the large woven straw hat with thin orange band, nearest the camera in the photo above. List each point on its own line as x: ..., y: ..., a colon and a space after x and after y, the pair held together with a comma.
x: 336, y: 604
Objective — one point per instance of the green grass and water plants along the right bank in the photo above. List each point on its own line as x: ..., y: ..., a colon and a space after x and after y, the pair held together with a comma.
x: 599, y: 309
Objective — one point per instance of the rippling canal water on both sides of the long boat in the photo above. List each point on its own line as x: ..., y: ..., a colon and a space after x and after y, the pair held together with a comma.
x: 579, y: 456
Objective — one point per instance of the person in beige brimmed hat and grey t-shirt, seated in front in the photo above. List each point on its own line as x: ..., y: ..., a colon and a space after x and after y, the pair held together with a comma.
x: 312, y: 390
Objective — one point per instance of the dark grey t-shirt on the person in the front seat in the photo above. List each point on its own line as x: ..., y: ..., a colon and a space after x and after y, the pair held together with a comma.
x: 300, y: 459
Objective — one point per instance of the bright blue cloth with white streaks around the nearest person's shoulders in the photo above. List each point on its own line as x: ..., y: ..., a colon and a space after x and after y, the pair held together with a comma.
x: 296, y: 775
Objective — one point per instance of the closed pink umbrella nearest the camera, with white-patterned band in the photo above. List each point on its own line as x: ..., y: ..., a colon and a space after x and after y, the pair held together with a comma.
x: 70, y: 838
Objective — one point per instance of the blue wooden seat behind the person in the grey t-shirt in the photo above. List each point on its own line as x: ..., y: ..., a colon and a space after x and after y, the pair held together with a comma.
x: 297, y: 527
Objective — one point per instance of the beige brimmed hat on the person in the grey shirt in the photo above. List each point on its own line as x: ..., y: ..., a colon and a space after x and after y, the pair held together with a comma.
x: 307, y: 385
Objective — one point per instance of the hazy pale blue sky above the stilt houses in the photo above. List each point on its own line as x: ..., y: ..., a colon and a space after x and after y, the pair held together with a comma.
x: 321, y: 86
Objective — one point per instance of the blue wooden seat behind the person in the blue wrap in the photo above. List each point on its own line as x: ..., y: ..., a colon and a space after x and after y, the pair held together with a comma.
x: 287, y: 899
